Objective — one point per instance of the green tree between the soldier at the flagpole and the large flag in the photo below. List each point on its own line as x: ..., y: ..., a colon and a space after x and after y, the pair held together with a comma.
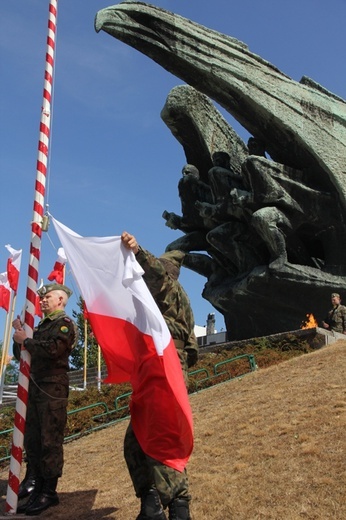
x: 84, y: 329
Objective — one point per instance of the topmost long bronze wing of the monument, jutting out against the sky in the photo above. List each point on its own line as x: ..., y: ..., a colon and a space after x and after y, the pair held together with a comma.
x: 303, y: 124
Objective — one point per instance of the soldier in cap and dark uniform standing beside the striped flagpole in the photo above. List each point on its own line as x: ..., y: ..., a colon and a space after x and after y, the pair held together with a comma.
x: 52, y: 342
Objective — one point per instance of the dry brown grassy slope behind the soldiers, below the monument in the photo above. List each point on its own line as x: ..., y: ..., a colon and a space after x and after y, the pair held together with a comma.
x: 269, y: 446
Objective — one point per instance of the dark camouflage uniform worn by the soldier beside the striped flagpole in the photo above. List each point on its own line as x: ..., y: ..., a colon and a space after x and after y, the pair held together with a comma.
x: 52, y: 342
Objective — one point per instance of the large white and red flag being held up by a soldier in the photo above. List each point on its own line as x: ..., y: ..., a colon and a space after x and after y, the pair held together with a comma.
x: 135, y: 342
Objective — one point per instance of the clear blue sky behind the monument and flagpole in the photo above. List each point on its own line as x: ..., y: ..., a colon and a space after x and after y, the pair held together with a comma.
x: 114, y: 165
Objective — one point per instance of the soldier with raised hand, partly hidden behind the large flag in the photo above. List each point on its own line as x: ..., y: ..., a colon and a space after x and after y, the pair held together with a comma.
x: 155, y: 484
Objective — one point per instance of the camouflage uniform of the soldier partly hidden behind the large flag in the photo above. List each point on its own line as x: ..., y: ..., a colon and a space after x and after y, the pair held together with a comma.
x: 174, y: 305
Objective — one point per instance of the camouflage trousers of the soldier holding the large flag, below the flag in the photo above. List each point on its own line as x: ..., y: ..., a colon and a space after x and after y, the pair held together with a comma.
x: 146, y: 473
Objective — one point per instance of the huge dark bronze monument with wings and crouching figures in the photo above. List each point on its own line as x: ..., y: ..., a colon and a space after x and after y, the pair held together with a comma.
x: 264, y: 222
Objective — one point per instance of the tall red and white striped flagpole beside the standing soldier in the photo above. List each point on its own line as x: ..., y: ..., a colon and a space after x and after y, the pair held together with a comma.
x: 35, y: 250
